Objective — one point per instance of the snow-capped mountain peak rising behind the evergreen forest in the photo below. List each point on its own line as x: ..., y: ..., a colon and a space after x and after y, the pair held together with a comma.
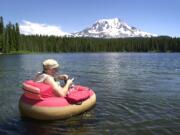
x: 111, y: 28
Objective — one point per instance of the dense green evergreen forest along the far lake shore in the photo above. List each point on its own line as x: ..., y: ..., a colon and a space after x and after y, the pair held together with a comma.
x: 11, y: 41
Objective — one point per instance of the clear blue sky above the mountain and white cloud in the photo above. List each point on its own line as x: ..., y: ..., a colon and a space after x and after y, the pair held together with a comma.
x: 161, y: 17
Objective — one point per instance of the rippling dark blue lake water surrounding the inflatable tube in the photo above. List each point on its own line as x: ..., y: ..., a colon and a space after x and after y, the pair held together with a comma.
x: 137, y: 93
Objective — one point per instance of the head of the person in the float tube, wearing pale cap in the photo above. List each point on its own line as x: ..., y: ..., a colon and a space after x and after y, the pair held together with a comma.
x: 50, y: 66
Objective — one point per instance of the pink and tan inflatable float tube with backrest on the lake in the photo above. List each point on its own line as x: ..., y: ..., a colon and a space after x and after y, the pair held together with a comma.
x: 39, y: 101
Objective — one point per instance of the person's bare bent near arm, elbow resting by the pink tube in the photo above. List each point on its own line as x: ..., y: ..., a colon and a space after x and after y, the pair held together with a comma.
x: 60, y: 91
